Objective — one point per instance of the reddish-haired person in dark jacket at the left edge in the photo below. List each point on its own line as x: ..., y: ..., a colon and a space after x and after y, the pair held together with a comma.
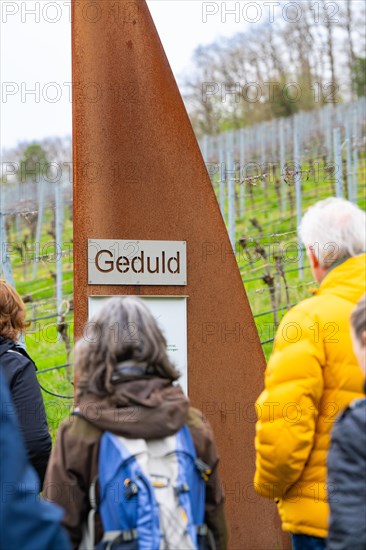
x: 19, y: 372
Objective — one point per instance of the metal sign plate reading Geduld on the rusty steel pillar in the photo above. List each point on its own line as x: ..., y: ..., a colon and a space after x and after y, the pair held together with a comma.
x: 112, y: 262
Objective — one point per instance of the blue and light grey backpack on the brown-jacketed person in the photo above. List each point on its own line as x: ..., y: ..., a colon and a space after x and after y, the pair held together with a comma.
x: 152, y: 495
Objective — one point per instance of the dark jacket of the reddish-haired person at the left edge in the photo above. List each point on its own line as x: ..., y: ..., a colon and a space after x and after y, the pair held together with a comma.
x: 20, y: 374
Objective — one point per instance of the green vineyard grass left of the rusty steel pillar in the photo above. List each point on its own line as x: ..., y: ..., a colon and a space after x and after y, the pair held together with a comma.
x: 43, y: 342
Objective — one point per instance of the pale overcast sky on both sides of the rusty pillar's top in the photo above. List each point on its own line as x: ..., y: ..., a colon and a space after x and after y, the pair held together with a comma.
x: 37, y: 53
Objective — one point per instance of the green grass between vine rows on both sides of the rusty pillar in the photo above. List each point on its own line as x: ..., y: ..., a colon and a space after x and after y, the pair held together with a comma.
x: 47, y: 348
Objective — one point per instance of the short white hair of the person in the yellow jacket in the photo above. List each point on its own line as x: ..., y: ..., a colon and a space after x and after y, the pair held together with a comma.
x: 335, y: 228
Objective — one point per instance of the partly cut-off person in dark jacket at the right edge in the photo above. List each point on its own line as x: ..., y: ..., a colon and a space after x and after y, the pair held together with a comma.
x: 347, y: 459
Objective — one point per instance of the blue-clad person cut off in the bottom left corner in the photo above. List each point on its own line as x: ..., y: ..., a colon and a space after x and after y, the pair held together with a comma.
x: 26, y: 523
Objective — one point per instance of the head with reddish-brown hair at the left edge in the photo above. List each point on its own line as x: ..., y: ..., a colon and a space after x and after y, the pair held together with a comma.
x: 12, y: 312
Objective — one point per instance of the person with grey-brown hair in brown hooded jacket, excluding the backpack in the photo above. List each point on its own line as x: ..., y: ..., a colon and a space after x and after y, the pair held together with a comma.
x: 125, y: 387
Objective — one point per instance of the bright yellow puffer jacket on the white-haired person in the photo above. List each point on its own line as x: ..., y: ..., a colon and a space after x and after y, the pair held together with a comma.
x: 311, y: 376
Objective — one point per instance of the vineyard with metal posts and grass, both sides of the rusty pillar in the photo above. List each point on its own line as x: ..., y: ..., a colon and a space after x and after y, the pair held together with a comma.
x: 264, y: 178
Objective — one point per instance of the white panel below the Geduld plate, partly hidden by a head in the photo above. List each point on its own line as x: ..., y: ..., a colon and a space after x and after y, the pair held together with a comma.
x: 170, y: 313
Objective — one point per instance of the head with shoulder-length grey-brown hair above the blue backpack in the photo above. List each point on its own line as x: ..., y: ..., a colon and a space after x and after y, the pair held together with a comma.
x: 121, y: 341
